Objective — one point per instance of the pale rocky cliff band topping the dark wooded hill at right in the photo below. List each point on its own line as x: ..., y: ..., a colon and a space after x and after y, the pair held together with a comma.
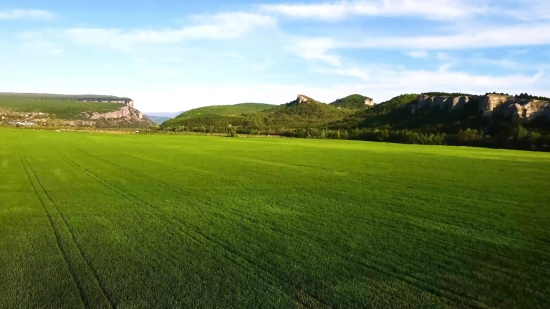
x: 517, y: 108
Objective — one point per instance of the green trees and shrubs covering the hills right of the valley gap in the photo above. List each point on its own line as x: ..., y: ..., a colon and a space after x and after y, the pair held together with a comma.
x: 391, y: 121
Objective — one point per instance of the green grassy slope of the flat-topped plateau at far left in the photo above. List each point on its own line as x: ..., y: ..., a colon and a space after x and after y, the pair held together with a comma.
x: 61, y: 109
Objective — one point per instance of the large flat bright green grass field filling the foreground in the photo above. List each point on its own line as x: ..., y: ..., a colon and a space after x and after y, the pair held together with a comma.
x: 149, y: 221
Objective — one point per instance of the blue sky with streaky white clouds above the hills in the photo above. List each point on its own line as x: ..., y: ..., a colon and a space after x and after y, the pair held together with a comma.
x: 176, y: 55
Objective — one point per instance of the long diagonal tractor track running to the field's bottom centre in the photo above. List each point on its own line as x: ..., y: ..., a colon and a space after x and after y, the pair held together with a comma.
x: 231, y: 256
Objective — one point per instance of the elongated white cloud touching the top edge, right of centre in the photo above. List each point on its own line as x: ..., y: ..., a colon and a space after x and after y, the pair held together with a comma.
x: 430, y: 9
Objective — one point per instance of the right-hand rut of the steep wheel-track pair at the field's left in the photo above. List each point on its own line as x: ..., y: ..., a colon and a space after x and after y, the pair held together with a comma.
x: 96, y: 281
